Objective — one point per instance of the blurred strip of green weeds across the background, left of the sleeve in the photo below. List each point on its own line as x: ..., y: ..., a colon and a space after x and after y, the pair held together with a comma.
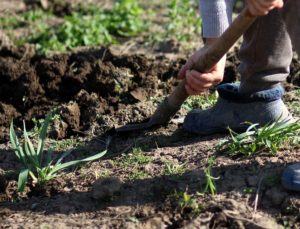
x: 90, y: 25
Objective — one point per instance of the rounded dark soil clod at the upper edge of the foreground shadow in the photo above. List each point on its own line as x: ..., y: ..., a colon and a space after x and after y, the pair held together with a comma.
x: 104, y: 188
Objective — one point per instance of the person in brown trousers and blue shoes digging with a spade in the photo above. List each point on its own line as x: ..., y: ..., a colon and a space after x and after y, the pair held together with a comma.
x: 266, y: 53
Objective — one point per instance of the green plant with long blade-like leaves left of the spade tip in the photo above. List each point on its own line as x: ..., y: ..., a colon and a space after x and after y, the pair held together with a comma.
x: 40, y: 167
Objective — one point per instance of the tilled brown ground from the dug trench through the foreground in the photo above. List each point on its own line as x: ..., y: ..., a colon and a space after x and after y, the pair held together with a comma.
x: 94, y: 90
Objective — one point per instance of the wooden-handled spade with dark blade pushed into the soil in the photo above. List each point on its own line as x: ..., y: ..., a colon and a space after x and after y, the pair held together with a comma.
x: 168, y: 108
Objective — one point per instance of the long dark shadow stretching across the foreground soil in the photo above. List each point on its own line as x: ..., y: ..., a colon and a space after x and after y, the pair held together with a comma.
x: 240, y: 180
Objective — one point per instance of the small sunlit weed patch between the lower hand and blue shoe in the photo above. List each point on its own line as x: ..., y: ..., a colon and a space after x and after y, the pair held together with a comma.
x: 202, y: 102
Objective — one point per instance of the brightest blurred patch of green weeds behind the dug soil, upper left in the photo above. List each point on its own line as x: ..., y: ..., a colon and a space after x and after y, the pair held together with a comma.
x: 90, y: 26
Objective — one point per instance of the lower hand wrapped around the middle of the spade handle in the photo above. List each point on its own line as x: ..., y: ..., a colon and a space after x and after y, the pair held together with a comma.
x: 196, y: 82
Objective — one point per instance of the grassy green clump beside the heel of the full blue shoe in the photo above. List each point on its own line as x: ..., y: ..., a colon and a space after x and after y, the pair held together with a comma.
x: 267, y: 138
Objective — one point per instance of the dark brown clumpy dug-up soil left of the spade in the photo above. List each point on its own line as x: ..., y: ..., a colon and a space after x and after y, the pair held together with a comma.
x: 96, y: 82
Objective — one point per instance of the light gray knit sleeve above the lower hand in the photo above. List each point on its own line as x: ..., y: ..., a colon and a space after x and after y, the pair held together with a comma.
x: 216, y: 16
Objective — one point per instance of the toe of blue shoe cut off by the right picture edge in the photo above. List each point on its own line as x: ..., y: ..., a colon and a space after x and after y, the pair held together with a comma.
x: 291, y: 177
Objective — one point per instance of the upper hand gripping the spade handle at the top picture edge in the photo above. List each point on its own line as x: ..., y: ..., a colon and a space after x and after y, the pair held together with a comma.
x: 262, y: 7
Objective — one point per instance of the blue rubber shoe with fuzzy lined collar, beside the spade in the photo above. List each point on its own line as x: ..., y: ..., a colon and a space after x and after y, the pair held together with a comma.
x: 233, y: 109
